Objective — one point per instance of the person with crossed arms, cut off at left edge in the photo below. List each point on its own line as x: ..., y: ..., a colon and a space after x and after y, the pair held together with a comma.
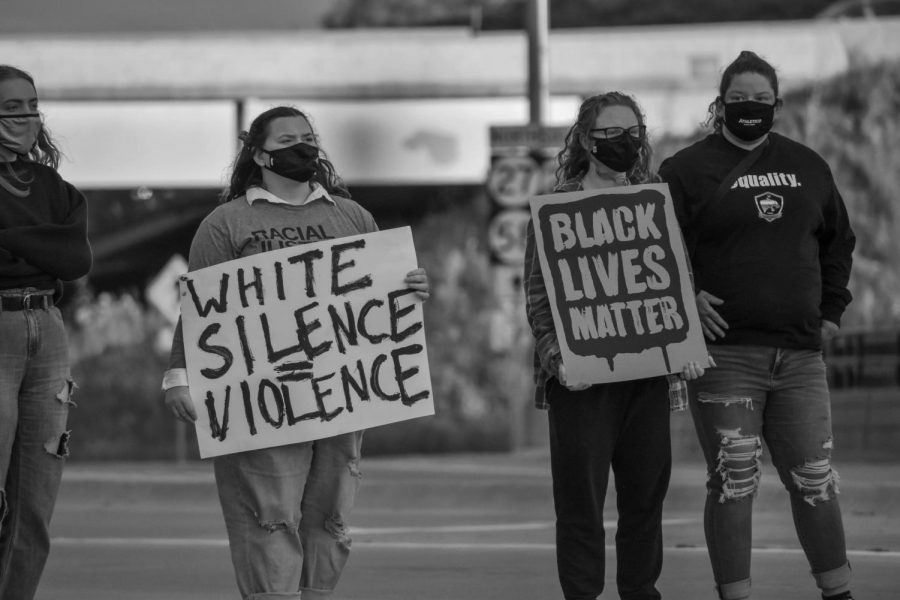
x: 43, y: 242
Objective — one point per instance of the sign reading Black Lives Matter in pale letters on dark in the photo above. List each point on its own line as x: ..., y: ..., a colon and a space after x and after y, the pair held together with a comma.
x: 618, y: 281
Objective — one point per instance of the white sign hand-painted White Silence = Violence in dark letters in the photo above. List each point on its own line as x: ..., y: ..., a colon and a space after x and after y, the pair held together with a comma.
x: 305, y: 342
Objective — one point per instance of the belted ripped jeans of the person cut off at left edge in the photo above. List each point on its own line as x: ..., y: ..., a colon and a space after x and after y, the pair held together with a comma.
x: 35, y: 390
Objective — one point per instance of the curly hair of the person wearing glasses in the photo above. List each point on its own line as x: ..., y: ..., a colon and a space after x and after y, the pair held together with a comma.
x: 574, y: 159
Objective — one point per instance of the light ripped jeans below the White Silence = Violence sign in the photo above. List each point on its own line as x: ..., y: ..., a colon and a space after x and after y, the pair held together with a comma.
x: 286, y: 511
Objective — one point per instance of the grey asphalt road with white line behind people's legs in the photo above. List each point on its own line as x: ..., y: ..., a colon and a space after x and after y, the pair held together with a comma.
x: 435, y: 528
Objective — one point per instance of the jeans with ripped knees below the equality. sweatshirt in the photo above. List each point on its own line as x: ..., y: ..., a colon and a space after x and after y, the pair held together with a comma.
x: 778, y: 395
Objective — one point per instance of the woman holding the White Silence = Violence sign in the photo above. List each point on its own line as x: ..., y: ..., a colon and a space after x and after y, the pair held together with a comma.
x: 285, y: 507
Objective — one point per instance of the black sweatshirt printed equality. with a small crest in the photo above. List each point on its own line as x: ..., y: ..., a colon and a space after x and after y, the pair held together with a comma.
x: 777, y: 248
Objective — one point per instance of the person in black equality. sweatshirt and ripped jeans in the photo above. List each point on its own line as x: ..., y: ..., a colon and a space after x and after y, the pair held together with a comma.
x: 771, y: 260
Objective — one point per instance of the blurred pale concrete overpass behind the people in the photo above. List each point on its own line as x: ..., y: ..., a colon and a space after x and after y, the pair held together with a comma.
x: 393, y: 106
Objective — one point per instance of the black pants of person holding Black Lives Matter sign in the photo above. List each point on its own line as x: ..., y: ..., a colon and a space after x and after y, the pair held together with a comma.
x: 624, y: 426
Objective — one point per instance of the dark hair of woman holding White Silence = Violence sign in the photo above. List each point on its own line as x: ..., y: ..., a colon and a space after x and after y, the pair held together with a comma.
x: 245, y: 173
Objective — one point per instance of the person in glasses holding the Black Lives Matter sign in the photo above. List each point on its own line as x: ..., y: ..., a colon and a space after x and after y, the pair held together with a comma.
x: 622, y: 425
